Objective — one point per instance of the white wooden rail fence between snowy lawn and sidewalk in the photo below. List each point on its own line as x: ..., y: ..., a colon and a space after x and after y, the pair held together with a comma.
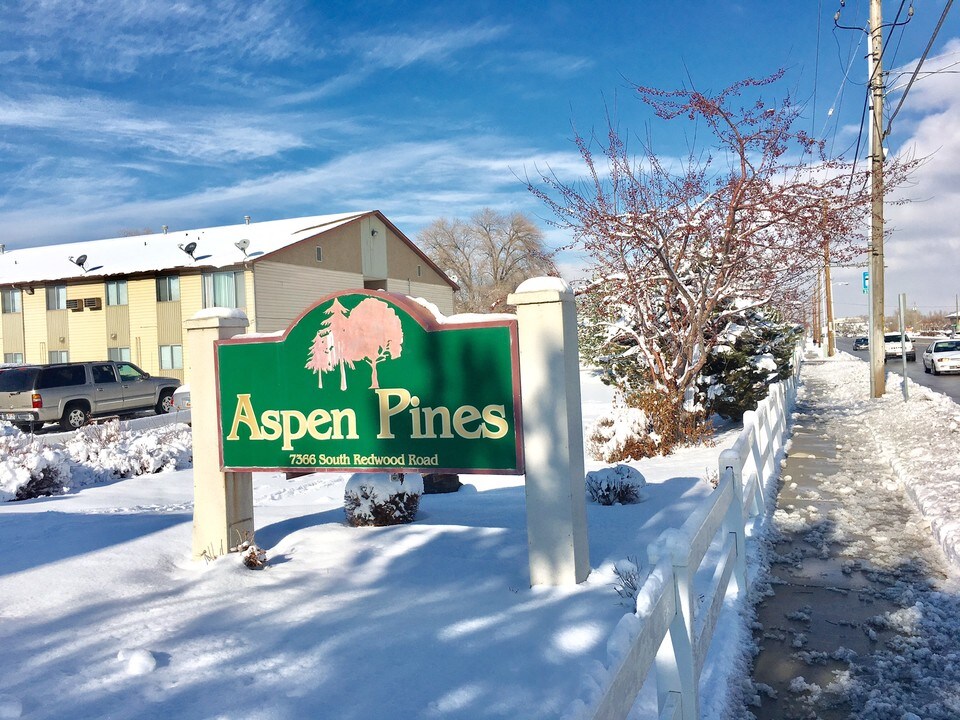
x: 682, y: 597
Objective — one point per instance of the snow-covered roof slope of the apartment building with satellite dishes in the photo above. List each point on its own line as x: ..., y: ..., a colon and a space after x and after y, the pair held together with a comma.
x: 214, y: 247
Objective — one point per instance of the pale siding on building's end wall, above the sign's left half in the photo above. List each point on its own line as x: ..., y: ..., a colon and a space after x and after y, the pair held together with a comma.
x: 284, y: 291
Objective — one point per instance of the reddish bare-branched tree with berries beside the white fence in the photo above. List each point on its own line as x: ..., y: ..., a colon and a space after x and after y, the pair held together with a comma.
x: 677, y: 248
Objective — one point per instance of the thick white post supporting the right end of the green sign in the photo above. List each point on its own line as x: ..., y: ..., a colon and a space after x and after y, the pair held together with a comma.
x: 552, y: 432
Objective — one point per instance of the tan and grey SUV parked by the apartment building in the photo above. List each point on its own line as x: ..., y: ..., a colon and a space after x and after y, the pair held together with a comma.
x: 70, y: 393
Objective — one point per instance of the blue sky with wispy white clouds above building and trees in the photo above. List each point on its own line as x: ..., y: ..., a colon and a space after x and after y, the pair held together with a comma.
x: 118, y: 114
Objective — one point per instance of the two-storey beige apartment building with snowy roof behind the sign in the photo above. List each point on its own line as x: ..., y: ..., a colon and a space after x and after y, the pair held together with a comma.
x: 127, y: 298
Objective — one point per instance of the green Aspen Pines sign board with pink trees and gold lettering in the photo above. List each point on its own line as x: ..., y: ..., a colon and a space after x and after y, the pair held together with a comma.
x: 372, y: 381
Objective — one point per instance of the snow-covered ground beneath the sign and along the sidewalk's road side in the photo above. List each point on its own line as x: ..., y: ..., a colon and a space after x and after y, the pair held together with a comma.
x: 104, y: 614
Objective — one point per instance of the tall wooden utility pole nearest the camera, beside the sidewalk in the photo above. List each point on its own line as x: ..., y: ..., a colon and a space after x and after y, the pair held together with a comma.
x: 878, y: 378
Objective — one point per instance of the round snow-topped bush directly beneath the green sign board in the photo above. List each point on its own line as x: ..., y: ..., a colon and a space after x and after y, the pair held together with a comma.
x: 382, y: 498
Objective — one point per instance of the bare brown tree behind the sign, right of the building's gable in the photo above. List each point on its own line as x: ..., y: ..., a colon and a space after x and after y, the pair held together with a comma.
x: 488, y: 256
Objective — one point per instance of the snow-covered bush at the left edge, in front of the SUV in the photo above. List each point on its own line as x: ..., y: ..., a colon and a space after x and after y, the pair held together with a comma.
x: 28, y: 469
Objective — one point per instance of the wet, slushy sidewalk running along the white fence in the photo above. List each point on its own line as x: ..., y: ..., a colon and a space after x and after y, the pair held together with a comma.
x: 858, y: 613
